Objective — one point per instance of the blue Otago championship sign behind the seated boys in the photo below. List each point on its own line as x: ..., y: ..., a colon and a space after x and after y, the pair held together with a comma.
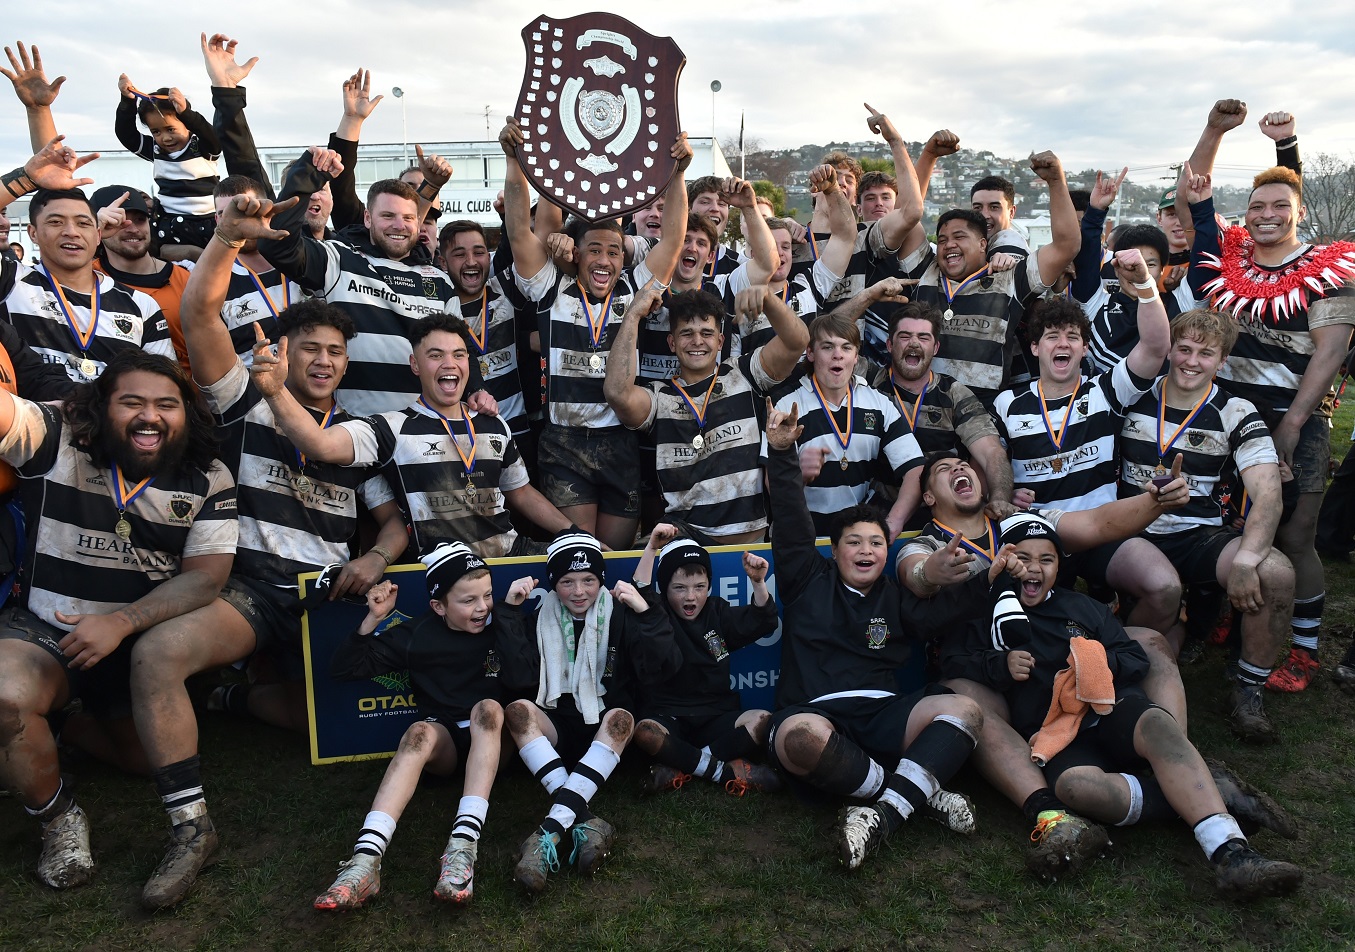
x: 365, y: 720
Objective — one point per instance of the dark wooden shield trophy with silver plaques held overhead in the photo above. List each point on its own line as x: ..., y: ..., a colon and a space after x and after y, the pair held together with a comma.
x: 600, y: 114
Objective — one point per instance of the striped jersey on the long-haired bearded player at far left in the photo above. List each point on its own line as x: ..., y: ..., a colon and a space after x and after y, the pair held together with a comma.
x: 75, y: 563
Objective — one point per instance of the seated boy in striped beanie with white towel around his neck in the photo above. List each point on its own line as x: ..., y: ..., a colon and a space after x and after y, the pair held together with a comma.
x: 587, y: 645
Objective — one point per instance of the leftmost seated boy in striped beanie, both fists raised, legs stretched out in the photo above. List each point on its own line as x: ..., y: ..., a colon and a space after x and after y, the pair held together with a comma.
x: 455, y: 659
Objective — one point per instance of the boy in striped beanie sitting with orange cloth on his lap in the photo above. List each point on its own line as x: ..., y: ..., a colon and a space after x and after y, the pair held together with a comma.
x: 1101, y: 766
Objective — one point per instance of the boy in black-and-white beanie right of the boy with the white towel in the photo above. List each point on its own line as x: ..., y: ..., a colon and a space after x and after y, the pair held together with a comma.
x: 692, y: 724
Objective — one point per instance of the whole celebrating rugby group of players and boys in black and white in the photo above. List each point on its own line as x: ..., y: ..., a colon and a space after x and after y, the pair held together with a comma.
x: 208, y: 392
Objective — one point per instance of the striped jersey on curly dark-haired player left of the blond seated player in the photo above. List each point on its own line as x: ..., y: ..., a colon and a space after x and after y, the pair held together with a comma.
x: 1078, y: 472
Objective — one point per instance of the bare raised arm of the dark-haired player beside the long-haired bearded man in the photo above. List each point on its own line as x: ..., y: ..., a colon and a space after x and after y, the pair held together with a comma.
x: 205, y: 334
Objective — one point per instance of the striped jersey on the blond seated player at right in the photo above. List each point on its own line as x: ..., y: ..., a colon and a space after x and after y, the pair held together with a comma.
x: 1226, y: 433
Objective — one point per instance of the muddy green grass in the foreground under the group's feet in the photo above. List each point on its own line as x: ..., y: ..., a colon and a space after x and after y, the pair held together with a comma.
x: 697, y: 869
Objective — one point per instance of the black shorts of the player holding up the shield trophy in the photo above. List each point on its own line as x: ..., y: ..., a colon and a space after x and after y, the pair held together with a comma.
x: 600, y: 467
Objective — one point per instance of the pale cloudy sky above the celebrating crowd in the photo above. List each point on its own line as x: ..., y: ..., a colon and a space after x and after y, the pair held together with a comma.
x: 1102, y: 85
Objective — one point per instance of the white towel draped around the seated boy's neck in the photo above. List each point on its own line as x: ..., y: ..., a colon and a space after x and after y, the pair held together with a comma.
x: 590, y: 656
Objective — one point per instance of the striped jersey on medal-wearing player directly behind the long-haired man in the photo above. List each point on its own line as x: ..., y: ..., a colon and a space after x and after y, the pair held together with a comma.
x: 128, y: 320
